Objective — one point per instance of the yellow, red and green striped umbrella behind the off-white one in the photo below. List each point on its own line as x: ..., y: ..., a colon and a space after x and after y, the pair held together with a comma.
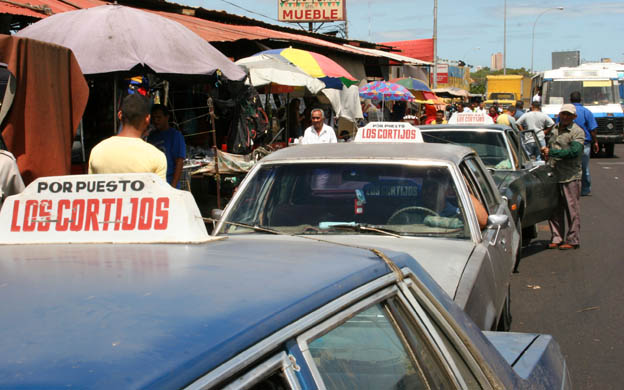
x: 314, y: 64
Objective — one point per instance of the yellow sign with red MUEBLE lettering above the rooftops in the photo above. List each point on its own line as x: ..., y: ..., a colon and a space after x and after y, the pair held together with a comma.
x: 311, y: 11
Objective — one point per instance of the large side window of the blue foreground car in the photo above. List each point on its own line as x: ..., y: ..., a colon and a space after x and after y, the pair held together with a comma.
x: 371, y: 351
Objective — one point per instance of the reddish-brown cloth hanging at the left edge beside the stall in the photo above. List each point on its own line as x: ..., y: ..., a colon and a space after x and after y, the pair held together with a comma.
x: 50, y: 97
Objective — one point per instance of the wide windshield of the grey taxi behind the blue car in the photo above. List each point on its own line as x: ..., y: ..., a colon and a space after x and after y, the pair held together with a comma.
x: 350, y: 198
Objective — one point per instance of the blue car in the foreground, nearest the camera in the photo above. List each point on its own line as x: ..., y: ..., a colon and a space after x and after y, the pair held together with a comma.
x: 247, y: 313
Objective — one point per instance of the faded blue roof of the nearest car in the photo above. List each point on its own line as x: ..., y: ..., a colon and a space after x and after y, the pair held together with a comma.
x: 159, y: 315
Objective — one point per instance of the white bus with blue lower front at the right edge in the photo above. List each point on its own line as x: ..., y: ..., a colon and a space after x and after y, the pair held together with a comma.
x: 600, y: 92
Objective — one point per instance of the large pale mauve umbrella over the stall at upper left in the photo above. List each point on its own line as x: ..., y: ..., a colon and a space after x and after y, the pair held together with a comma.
x: 112, y: 38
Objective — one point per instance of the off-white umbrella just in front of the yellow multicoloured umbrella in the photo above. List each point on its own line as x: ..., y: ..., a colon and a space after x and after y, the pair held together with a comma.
x: 266, y: 70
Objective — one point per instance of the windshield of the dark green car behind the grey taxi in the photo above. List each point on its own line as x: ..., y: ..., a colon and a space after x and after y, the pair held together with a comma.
x: 489, y: 145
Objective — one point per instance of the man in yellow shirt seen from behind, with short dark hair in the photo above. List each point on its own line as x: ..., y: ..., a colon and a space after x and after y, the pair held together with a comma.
x: 127, y: 152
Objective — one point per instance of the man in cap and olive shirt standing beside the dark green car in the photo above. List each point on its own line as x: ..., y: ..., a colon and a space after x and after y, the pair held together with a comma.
x: 565, y: 152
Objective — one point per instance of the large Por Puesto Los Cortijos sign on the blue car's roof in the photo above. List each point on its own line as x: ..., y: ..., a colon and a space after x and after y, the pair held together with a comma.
x: 110, y: 208
